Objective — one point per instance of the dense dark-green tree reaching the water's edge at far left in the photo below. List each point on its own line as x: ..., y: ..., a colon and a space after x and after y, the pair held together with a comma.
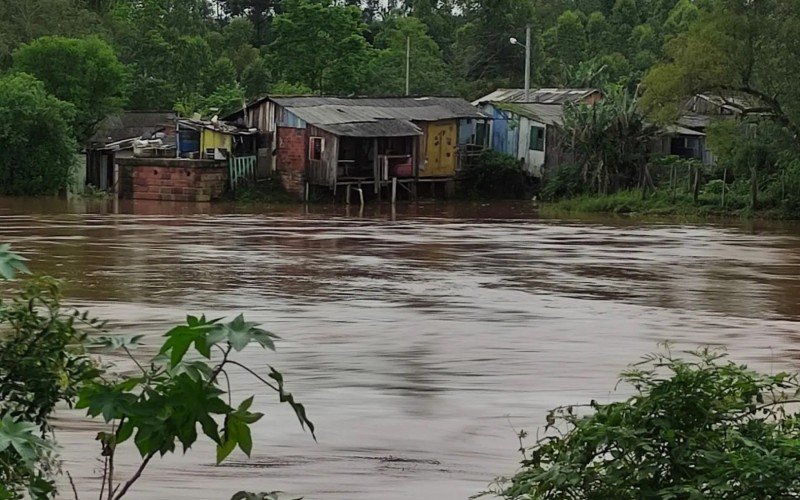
x: 38, y: 147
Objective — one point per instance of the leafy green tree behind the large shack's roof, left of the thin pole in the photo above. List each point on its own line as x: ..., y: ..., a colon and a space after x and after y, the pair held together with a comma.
x: 320, y: 45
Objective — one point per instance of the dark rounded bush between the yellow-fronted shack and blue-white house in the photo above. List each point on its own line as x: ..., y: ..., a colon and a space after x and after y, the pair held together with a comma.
x: 496, y: 175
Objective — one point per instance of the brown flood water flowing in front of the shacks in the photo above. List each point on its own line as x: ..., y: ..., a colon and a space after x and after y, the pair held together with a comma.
x: 419, y: 338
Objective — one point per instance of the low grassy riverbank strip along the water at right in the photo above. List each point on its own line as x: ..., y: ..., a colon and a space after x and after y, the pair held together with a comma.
x: 632, y: 202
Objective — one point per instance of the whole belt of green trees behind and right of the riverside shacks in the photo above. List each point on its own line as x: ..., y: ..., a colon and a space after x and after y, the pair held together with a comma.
x: 197, y: 56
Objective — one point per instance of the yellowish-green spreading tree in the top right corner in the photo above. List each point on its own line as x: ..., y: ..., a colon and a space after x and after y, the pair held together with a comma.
x: 734, y: 48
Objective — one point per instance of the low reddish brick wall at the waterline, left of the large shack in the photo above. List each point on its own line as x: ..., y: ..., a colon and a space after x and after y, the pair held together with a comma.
x: 176, y: 180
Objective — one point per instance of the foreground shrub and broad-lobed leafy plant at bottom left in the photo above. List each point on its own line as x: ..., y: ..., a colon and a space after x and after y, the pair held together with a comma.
x: 45, y: 361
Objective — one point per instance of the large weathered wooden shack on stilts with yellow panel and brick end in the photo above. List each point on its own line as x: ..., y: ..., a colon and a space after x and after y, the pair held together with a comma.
x: 335, y: 142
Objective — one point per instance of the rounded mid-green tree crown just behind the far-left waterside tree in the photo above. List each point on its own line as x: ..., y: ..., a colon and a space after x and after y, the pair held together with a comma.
x: 82, y: 71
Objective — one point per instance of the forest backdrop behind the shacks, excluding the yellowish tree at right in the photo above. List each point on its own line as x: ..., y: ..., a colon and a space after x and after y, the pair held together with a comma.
x: 182, y: 50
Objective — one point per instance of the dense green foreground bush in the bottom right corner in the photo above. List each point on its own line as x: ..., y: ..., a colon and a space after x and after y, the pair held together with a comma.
x: 696, y: 427
